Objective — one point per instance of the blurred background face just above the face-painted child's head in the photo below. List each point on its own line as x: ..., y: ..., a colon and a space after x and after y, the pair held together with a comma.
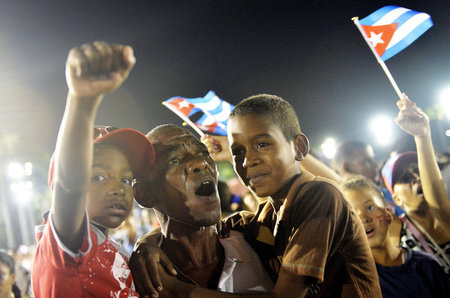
x: 364, y: 163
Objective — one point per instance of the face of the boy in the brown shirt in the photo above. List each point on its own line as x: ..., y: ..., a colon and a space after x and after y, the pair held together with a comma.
x: 262, y: 157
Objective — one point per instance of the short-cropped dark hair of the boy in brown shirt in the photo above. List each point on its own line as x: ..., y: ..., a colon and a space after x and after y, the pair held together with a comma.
x: 277, y: 110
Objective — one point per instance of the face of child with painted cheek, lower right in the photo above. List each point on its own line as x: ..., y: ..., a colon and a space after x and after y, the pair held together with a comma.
x: 374, y: 216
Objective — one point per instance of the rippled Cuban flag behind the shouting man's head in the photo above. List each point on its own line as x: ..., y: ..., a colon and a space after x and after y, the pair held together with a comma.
x: 210, y: 113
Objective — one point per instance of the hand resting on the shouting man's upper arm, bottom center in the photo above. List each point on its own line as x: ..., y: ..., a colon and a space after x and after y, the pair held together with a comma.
x: 144, y: 263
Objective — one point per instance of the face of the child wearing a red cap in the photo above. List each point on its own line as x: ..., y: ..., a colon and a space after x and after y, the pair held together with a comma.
x: 110, y: 194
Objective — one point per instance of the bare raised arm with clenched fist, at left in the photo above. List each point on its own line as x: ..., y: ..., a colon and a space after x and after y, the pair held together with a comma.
x: 91, y: 71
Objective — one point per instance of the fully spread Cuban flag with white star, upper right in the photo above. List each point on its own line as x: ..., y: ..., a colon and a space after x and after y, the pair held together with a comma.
x: 390, y: 29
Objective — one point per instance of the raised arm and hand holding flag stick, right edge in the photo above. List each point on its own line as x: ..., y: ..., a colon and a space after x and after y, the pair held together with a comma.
x: 414, y: 121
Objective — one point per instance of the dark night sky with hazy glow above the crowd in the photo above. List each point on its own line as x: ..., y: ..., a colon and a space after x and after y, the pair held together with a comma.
x: 308, y: 52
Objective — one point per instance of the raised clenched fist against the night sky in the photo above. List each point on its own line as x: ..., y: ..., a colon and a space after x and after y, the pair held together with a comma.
x: 93, y: 69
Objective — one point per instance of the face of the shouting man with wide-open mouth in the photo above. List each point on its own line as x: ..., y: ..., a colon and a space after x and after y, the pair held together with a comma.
x: 184, y: 178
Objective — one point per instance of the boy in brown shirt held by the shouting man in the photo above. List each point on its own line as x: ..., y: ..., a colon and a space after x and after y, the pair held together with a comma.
x: 307, y: 236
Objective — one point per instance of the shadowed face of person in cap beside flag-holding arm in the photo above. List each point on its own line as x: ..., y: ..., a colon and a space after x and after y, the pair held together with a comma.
x: 408, y: 188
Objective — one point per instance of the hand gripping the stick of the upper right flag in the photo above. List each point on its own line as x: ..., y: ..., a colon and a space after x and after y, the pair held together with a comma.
x: 411, y: 118
